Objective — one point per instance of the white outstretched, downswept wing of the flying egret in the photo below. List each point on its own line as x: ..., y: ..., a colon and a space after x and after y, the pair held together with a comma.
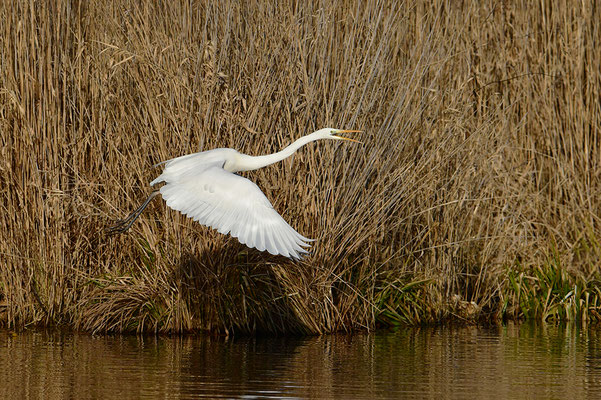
x: 233, y: 204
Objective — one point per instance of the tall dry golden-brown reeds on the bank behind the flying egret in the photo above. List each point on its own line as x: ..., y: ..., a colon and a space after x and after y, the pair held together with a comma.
x: 482, y: 149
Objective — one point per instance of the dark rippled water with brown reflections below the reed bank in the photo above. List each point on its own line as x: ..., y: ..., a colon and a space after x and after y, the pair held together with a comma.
x: 511, y: 362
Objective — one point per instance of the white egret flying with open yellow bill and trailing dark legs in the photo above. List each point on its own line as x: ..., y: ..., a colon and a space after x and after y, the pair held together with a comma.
x: 204, y: 186
